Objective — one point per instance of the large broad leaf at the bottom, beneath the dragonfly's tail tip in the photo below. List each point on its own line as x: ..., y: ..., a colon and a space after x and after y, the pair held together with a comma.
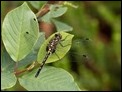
x: 50, y: 79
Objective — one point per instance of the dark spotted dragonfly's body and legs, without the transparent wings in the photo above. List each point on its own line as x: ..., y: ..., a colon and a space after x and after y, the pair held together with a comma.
x: 51, y: 48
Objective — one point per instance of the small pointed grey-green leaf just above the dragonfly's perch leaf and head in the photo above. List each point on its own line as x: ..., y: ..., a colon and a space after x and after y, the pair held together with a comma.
x: 62, y: 26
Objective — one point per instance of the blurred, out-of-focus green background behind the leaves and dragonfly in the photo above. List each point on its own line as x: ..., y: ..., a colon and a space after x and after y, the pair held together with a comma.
x: 100, y: 22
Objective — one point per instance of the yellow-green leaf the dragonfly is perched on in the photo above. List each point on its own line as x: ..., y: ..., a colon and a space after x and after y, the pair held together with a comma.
x: 60, y: 51
